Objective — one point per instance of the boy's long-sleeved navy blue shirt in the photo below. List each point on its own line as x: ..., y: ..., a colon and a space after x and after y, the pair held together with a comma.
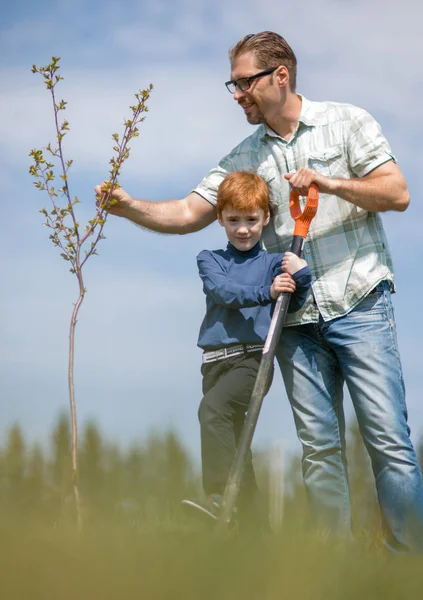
x: 238, y: 301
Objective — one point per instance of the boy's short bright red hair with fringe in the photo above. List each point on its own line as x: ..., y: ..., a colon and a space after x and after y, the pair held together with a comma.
x: 244, y: 191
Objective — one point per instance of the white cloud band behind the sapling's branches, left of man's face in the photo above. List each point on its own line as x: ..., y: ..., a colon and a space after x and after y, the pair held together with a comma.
x: 189, y: 125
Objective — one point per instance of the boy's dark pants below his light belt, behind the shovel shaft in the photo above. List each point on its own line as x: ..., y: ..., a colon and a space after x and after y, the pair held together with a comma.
x: 227, y: 389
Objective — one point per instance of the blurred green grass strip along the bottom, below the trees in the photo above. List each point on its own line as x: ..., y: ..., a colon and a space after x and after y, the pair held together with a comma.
x: 126, y: 560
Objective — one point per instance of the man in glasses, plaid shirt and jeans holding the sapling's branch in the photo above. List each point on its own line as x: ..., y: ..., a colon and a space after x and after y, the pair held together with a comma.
x: 346, y: 331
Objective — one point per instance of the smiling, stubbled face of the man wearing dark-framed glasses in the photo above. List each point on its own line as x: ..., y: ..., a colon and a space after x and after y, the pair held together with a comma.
x: 262, y: 97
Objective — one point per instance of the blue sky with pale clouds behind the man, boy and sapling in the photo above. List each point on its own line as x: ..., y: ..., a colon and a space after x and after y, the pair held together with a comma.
x: 137, y: 365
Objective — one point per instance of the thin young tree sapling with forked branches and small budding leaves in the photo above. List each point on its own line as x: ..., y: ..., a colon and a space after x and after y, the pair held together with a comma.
x: 76, y: 244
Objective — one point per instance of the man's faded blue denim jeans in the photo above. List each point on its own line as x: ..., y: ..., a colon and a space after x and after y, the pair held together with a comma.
x: 361, y: 350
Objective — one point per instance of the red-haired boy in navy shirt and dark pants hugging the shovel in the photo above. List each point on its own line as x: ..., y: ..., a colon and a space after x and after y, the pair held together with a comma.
x: 240, y: 284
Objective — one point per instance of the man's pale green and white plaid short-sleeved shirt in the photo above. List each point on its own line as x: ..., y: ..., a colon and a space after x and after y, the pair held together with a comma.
x: 346, y: 247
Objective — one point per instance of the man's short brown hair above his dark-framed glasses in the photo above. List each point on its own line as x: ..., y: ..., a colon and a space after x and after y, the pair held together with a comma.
x: 270, y: 50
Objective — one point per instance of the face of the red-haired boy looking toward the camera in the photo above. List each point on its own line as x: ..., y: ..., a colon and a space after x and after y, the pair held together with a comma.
x: 243, y: 228
